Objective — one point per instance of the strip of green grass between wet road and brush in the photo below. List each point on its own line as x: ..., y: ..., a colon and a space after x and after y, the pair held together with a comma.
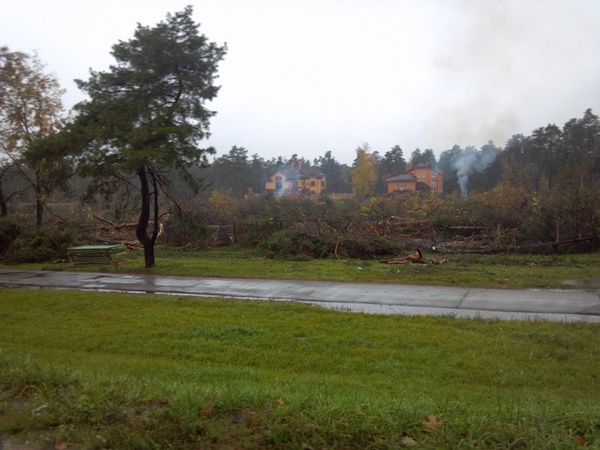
x: 504, y: 271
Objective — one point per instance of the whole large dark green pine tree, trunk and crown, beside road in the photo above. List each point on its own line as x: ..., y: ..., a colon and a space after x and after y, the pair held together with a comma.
x: 147, y: 113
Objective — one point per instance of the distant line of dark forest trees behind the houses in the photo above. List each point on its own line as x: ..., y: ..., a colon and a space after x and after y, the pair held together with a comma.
x: 550, y: 156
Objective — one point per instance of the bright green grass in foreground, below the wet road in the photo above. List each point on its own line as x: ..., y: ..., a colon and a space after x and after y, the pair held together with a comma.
x: 100, y: 370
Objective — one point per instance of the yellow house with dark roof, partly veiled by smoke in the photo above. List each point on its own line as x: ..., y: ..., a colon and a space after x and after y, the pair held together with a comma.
x: 296, y: 179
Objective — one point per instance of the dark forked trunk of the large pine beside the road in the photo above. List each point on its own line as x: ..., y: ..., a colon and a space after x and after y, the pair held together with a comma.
x: 142, y: 226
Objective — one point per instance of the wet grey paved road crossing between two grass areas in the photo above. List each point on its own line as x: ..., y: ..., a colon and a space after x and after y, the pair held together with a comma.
x: 558, y: 305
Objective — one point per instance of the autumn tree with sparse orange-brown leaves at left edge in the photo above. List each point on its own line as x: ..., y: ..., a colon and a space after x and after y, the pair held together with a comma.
x: 31, y: 112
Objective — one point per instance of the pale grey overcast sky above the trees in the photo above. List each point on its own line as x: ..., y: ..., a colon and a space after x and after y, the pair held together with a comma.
x: 306, y: 77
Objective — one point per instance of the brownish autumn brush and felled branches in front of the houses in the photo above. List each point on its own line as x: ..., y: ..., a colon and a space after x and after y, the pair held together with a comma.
x: 507, y: 218
